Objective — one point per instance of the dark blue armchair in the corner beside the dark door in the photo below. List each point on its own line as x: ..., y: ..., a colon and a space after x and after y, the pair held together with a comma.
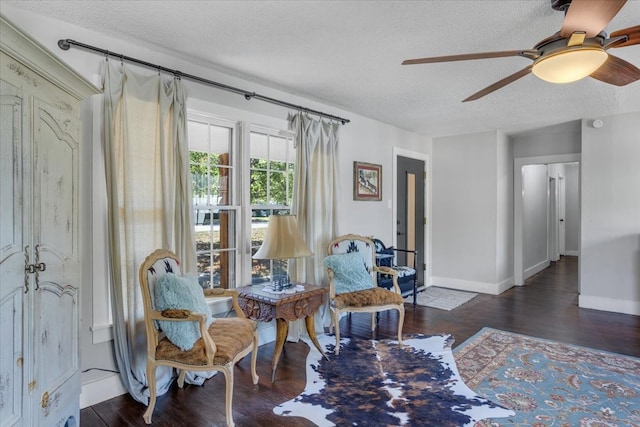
x: 407, y: 277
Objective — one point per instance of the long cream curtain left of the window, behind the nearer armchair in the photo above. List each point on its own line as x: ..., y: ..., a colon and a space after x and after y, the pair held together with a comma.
x: 149, y: 202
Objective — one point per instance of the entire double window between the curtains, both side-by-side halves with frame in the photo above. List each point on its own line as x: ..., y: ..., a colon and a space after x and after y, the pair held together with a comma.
x: 224, y: 166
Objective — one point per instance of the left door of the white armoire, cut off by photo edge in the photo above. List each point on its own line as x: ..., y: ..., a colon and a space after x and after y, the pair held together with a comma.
x: 12, y: 257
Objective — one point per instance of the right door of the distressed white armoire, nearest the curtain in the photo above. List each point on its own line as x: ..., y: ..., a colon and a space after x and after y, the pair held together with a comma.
x: 55, y: 175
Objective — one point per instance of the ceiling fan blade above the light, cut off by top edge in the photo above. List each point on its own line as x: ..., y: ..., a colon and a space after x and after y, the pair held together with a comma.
x: 590, y: 16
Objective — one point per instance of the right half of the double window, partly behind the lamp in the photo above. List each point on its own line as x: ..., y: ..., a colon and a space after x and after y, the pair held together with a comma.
x: 271, y: 174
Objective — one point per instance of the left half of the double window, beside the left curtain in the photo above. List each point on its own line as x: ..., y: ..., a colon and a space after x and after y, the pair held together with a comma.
x: 213, y: 158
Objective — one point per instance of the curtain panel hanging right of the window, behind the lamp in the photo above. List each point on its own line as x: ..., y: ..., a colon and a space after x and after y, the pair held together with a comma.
x: 315, y: 202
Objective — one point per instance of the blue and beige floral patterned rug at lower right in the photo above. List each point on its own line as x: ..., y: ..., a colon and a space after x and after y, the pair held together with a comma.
x: 548, y: 383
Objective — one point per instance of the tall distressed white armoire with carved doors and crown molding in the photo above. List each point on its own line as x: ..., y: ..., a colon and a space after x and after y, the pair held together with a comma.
x: 40, y: 256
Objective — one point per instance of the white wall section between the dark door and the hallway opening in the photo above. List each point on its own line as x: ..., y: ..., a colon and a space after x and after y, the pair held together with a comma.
x: 466, y: 206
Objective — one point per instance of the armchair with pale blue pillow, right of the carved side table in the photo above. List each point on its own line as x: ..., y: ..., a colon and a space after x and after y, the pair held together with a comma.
x: 351, y: 266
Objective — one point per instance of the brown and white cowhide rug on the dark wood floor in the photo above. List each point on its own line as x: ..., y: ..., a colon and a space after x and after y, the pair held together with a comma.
x: 379, y: 383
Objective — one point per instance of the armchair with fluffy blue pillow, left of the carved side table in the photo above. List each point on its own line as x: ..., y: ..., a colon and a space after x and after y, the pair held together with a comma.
x: 181, y: 332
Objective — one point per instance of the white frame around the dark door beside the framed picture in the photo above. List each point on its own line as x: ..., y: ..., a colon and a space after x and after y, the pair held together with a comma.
x: 426, y: 255
